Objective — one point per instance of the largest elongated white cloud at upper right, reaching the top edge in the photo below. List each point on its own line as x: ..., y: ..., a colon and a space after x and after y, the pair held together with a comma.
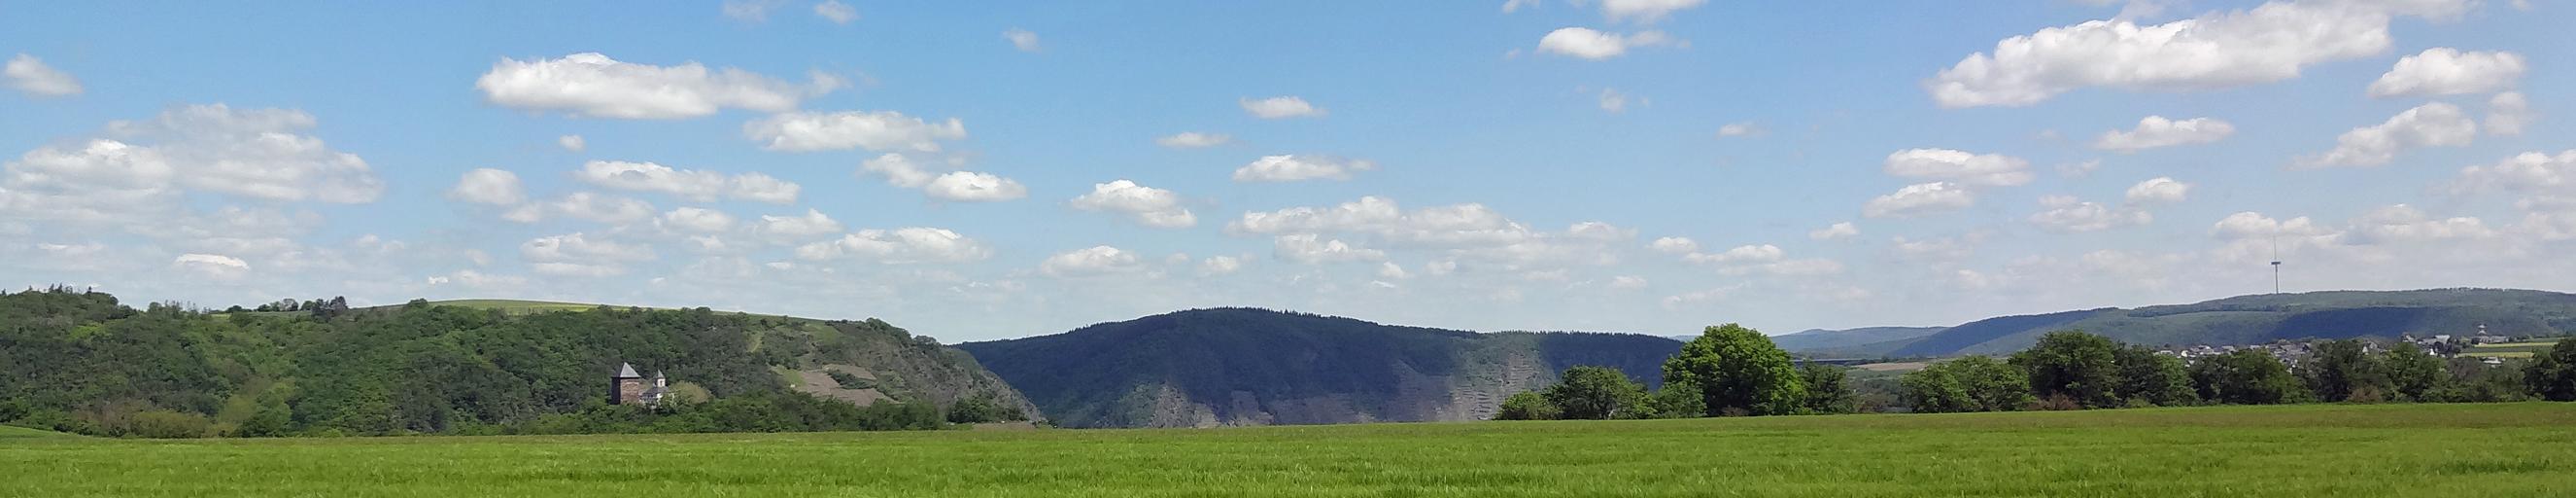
x: 2217, y: 50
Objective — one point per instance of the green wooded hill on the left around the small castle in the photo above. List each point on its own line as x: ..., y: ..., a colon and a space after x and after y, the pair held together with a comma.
x: 84, y: 363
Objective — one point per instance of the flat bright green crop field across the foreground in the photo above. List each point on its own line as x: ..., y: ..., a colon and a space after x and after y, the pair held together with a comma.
x: 2299, y: 450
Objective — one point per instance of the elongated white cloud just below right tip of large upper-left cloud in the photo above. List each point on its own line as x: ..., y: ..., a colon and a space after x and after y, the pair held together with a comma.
x: 851, y: 130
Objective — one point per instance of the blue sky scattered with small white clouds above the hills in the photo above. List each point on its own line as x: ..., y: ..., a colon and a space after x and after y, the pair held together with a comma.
x: 1506, y: 166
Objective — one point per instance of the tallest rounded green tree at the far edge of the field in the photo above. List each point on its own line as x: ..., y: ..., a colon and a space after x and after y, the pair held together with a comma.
x: 1740, y: 373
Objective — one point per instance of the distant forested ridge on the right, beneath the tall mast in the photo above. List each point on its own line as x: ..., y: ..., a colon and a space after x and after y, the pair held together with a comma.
x: 2263, y: 319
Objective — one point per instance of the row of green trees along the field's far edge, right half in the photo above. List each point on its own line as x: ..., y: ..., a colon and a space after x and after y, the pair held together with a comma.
x: 1735, y: 370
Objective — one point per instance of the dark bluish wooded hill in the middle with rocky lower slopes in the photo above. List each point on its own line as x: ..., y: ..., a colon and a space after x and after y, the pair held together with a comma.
x: 1258, y: 368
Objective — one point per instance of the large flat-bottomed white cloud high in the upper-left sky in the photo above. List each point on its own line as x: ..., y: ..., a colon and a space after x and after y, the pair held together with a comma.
x: 596, y: 86
